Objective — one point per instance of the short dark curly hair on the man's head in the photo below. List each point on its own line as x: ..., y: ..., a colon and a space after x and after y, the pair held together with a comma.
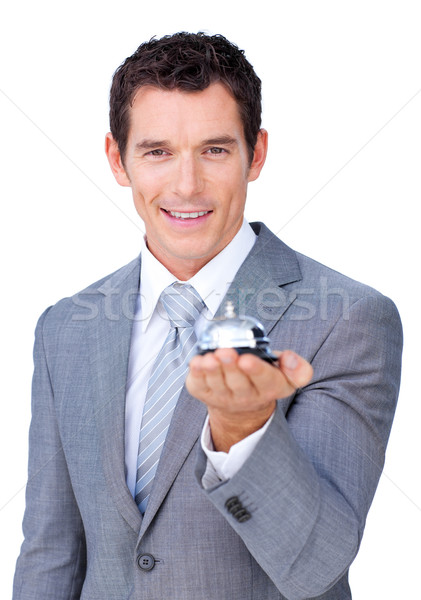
x: 189, y: 62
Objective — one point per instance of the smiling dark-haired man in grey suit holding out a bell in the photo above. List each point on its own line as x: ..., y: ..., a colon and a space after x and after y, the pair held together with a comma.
x: 260, y: 489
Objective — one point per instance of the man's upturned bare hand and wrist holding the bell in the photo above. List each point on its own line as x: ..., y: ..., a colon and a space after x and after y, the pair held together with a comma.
x: 240, y: 391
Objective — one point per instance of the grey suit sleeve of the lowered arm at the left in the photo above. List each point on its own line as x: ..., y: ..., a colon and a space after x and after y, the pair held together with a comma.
x: 51, y: 564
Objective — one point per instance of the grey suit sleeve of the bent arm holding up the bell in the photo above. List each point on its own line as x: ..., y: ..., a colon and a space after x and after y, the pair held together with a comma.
x: 311, y: 479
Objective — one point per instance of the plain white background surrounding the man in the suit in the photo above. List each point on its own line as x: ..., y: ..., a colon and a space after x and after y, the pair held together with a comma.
x: 342, y: 103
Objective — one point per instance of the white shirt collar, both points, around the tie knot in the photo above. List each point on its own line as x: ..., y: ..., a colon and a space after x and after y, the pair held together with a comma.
x: 211, y: 282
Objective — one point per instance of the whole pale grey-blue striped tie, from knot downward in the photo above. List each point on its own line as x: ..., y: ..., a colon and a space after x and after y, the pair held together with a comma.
x: 183, y: 305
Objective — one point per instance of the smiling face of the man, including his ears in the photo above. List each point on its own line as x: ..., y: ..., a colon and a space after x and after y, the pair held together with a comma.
x: 188, y: 167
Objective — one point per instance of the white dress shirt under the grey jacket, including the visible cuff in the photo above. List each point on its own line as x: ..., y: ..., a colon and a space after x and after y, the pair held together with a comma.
x: 150, y: 328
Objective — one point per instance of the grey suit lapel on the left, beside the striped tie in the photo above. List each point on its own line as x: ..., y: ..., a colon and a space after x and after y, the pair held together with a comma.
x: 109, y: 348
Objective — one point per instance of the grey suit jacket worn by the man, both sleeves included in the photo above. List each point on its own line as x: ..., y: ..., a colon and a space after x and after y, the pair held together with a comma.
x: 307, y: 486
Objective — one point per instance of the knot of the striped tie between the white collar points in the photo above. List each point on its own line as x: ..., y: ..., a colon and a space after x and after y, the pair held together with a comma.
x: 182, y: 303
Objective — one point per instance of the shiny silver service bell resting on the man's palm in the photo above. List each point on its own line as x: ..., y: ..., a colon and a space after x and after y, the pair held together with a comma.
x: 244, y: 334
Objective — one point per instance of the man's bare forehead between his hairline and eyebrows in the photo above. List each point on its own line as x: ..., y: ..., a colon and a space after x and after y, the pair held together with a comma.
x: 160, y: 110
